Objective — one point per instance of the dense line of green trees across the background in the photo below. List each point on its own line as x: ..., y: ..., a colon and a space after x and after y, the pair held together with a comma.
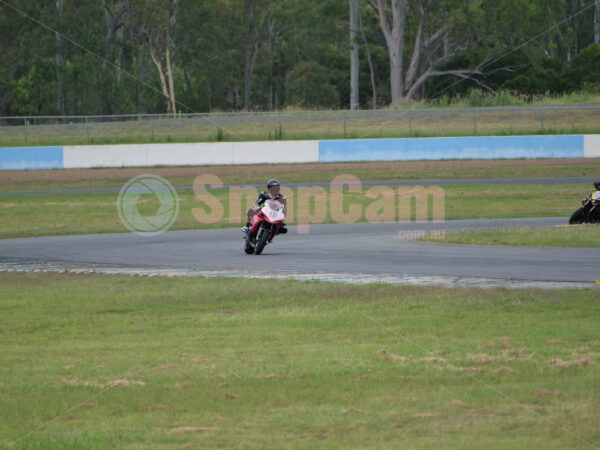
x: 104, y: 57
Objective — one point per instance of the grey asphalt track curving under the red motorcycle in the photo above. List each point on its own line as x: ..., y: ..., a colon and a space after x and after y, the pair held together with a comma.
x: 341, y: 252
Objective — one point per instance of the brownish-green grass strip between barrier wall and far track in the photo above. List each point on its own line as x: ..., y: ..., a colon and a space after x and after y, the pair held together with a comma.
x: 23, y: 180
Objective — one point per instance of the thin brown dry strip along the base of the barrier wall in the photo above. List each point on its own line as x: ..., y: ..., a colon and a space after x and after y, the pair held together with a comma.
x: 193, y: 171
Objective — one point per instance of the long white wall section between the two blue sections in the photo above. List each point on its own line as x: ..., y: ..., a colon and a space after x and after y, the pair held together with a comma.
x: 190, y: 154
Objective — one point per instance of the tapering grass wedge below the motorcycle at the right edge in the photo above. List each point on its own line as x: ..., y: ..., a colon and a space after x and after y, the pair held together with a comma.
x: 562, y: 236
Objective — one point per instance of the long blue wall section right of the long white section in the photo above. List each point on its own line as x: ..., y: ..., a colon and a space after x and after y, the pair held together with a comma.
x: 488, y: 147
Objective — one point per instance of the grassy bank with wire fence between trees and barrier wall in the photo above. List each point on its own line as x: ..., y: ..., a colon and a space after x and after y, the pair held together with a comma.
x: 82, y: 130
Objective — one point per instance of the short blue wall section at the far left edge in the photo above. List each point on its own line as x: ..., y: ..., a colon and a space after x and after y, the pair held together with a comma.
x: 31, y: 158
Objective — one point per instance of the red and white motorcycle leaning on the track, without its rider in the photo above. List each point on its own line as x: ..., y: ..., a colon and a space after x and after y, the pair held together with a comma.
x: 264, y: 227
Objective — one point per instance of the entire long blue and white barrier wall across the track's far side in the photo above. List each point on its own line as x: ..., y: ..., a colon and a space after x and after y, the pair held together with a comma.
x: 485, y: 147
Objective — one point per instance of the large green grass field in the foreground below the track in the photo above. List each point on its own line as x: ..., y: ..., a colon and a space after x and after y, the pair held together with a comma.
x: 95, y: 361
